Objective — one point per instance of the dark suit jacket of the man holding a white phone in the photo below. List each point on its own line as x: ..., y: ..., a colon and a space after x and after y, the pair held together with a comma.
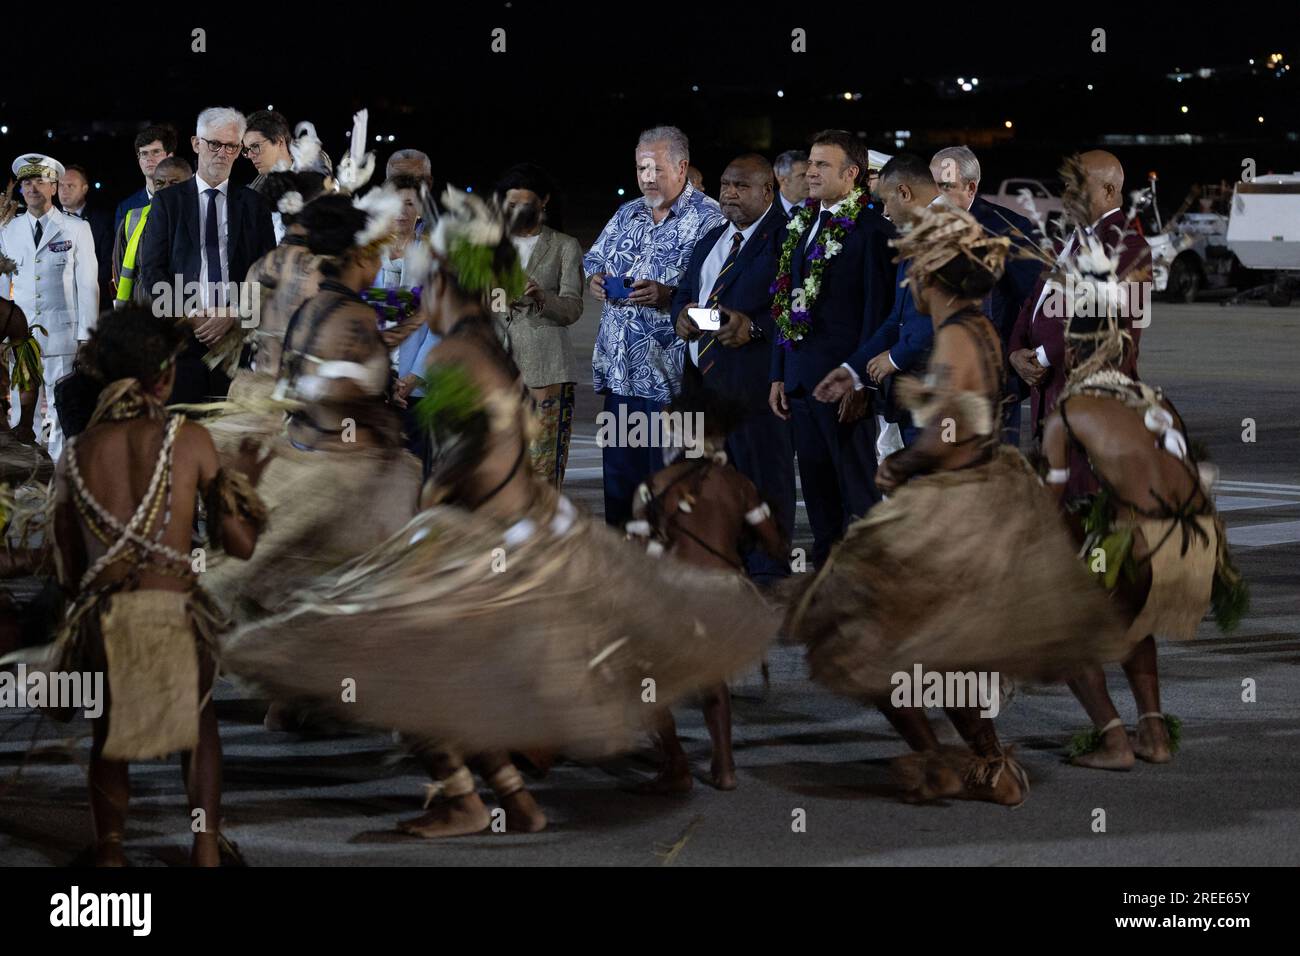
x: 740, y: 373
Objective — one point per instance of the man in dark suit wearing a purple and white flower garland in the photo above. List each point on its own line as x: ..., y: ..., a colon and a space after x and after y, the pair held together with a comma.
x: 837, y: 317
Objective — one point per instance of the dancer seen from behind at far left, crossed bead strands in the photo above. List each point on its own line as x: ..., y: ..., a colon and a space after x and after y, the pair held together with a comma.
x: 127, y: 494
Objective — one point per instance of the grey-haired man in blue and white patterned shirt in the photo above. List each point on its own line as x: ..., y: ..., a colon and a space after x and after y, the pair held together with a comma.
x: 638, y: 358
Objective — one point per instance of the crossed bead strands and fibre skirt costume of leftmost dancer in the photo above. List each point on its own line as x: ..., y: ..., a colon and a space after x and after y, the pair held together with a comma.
x: 149, y: 642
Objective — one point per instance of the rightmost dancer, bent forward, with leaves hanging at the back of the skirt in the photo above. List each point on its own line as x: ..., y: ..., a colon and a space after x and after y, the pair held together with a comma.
x: 1147, y: 524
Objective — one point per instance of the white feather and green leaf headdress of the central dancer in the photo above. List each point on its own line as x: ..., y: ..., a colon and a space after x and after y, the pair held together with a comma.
x: 470, y: 241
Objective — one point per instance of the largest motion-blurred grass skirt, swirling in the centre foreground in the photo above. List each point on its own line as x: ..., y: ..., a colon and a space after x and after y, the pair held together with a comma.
x: 453, y: 634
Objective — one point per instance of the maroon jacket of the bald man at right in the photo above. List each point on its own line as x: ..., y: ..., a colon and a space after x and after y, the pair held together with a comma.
x: 1034, y: 328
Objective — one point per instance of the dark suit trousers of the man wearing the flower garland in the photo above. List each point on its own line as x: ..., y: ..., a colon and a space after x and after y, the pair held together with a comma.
x: 837, y: 469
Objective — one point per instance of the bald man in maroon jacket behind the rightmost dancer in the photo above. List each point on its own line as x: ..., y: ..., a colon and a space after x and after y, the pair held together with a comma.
x: 1038, y: 341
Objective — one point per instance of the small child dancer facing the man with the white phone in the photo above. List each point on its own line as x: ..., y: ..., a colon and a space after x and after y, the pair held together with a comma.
x: 704, y: 512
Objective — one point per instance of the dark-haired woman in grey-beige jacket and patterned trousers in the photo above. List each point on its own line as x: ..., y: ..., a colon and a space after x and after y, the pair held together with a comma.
x: 538, y: 322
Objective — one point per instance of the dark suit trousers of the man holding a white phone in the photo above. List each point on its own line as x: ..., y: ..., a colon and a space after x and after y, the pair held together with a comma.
x: 764, y: 452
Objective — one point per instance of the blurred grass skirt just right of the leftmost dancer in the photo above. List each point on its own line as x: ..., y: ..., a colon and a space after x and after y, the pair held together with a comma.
x: 323, y: 509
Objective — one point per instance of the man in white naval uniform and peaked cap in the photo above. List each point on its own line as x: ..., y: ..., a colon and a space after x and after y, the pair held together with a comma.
x: 57, y: 284
